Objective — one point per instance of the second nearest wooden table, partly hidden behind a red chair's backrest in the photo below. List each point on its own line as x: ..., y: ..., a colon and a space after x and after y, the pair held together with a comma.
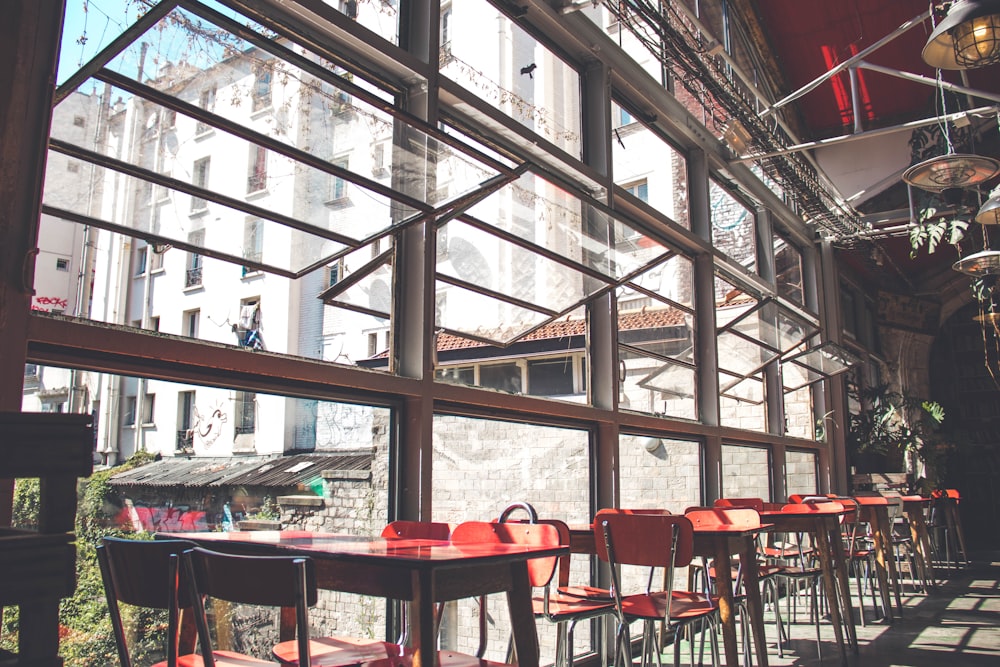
x: 718, y: 543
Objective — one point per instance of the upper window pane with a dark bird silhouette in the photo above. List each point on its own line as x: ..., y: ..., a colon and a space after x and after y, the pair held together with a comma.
x: 518, y: 75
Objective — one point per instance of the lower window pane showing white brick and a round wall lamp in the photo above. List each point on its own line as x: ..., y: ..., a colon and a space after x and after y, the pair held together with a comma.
x: 659, y: 473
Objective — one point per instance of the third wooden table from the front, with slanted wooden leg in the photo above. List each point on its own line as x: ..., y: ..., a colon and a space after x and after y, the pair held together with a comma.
x: 824, y: 528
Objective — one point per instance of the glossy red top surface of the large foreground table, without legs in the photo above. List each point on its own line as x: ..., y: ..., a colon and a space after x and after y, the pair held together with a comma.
x: 353, y: 547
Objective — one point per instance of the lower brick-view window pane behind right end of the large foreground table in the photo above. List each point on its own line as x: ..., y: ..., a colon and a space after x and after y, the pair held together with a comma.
x: 477, y: 473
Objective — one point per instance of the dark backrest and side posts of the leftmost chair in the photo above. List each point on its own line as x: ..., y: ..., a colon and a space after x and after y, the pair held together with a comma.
x: 143, y: 573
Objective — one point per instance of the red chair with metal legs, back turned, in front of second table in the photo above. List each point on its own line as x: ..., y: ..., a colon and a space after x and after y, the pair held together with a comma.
x: 652, y: 541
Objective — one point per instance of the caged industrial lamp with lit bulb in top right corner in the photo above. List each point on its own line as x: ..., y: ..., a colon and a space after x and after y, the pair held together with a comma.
x: 967, y: 37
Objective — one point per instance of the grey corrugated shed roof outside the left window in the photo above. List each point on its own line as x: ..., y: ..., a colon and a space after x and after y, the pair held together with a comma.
x: 277, y: 471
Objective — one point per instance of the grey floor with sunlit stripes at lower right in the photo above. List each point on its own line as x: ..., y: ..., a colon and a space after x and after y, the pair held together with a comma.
x: 956, y: 625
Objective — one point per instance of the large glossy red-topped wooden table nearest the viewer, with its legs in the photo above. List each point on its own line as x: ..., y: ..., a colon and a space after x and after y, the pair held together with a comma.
x: 421, y: 571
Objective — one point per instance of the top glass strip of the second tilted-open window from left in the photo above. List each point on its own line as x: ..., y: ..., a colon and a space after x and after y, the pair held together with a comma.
x: 554, y: 219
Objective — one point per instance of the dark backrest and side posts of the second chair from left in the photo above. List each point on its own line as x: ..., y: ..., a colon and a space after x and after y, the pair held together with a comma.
x: 275, y: 581
